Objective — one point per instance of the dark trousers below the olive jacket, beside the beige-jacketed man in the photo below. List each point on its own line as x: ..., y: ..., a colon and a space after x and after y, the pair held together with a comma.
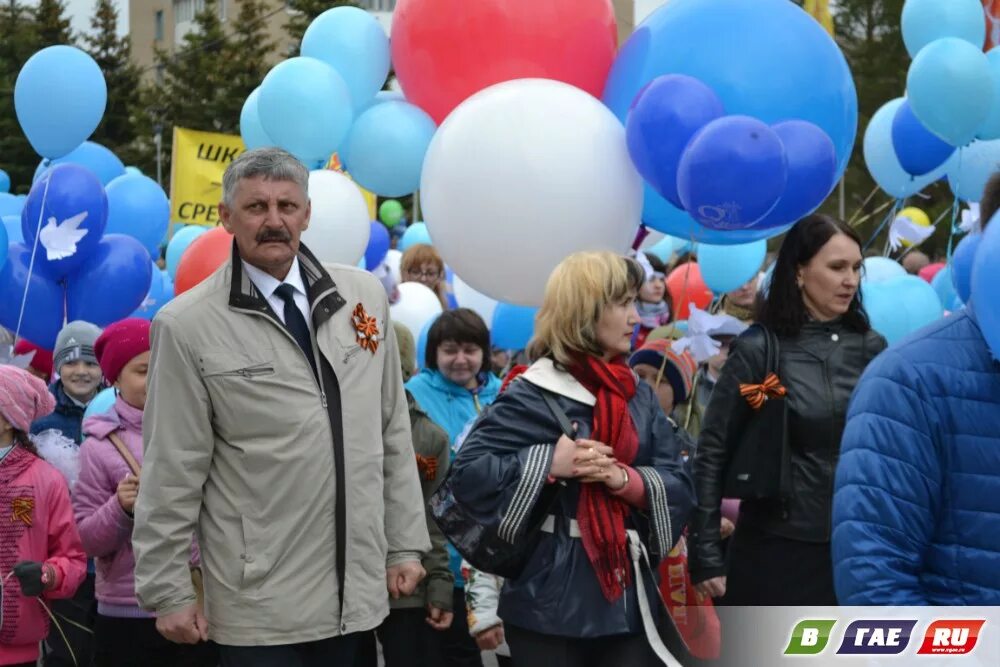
x: 407, y: 641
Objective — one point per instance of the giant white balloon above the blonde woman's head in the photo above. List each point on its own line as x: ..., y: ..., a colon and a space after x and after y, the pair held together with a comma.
x: 523, y: 174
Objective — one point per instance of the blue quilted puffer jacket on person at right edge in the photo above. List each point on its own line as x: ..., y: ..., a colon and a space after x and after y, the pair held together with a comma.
x: 917, y: 506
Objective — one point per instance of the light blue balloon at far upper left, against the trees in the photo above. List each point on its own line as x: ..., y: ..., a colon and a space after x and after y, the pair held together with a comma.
x: 59, y: 97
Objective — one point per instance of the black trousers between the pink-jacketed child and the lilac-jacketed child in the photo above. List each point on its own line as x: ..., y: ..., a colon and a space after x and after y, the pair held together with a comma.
x: 76, y: 618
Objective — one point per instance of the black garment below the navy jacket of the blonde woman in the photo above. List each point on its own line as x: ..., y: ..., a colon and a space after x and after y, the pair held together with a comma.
x: 531, y: 649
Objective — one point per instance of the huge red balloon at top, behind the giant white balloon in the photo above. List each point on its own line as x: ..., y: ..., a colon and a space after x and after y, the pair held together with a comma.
x: 446, y: 50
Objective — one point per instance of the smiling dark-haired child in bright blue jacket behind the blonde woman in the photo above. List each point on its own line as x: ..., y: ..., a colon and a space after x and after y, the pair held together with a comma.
x: 452, y: 389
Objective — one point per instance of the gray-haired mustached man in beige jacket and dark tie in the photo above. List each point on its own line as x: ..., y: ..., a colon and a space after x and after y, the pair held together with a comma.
x: 277, y: 431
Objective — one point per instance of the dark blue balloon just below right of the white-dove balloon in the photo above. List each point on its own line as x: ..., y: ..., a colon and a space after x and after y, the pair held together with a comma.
x: 114, y: 282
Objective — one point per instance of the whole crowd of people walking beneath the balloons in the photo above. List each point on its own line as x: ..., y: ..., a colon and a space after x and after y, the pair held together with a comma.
x: 281, y: 481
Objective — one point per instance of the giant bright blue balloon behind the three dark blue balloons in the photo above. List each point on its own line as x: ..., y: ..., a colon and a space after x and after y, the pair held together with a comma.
x: 737, y: 48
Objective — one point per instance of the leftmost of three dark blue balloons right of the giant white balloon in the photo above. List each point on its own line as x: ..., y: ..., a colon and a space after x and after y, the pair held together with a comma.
x: 665, y: 116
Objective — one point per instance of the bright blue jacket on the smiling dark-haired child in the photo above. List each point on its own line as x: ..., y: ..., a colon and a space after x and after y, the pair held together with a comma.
x: 447, y: 404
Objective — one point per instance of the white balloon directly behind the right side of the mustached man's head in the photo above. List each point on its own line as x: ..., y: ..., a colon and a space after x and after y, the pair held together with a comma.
x: 339, y: 229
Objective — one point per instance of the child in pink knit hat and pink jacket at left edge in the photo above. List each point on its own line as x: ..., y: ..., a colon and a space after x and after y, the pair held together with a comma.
x: 40, y: 553
